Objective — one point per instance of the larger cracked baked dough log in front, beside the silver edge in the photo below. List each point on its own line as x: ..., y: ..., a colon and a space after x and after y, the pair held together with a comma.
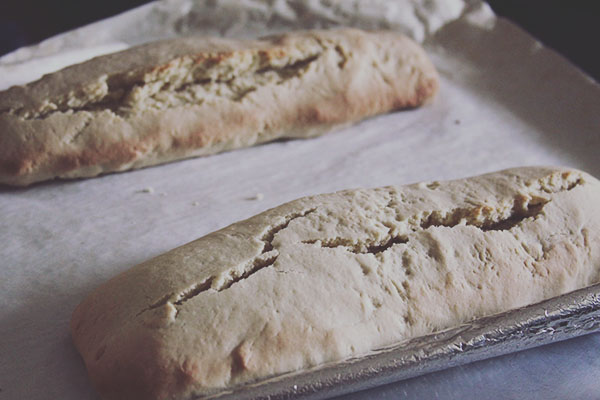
x: 327, y: 277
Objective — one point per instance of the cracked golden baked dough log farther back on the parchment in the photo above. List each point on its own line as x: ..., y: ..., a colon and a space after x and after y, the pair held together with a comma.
x: 190, y: 97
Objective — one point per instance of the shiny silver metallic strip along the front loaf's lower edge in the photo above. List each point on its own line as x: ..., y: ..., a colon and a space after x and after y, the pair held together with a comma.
x: 560, y: 318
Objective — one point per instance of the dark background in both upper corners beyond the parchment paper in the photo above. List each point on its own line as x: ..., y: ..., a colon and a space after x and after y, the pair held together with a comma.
x: 570, y: 27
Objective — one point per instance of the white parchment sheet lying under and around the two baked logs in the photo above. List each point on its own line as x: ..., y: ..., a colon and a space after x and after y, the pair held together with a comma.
x: 504, y: 101
